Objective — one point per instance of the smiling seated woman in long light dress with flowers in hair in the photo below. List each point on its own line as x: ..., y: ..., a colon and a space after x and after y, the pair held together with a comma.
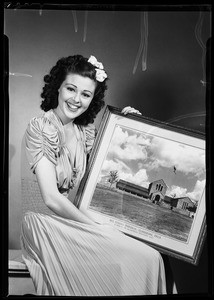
x: 66, y: 252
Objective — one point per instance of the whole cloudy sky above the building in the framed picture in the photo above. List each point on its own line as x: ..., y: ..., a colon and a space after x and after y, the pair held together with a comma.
x: 142, y: 158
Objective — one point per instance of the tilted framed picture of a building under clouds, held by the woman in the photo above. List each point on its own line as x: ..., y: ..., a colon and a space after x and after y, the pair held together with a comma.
x: 147, y: 179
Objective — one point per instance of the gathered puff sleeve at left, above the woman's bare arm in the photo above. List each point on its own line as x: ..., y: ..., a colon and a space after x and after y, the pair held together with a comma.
x: 41, y: 139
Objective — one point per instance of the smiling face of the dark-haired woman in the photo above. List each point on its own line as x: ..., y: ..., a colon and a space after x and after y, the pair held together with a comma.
x: 75, y: 95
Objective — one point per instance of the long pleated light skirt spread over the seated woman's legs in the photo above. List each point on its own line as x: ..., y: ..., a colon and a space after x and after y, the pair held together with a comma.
x: 68, y: 258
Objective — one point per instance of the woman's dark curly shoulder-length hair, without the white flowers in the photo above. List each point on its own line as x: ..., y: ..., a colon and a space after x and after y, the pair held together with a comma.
x: 76, y: 64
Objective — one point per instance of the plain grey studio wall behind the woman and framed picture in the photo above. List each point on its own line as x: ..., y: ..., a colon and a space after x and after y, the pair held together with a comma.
x: 170, y: 89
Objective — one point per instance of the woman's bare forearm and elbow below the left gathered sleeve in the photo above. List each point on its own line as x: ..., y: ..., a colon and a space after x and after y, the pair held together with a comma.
x: 59, y: 204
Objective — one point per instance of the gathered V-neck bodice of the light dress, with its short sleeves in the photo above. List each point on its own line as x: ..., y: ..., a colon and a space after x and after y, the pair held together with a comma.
x: 45, y: 136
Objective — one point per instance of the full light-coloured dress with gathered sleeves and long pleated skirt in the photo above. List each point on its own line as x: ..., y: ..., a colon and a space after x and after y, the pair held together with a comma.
x: 69, y: 258
